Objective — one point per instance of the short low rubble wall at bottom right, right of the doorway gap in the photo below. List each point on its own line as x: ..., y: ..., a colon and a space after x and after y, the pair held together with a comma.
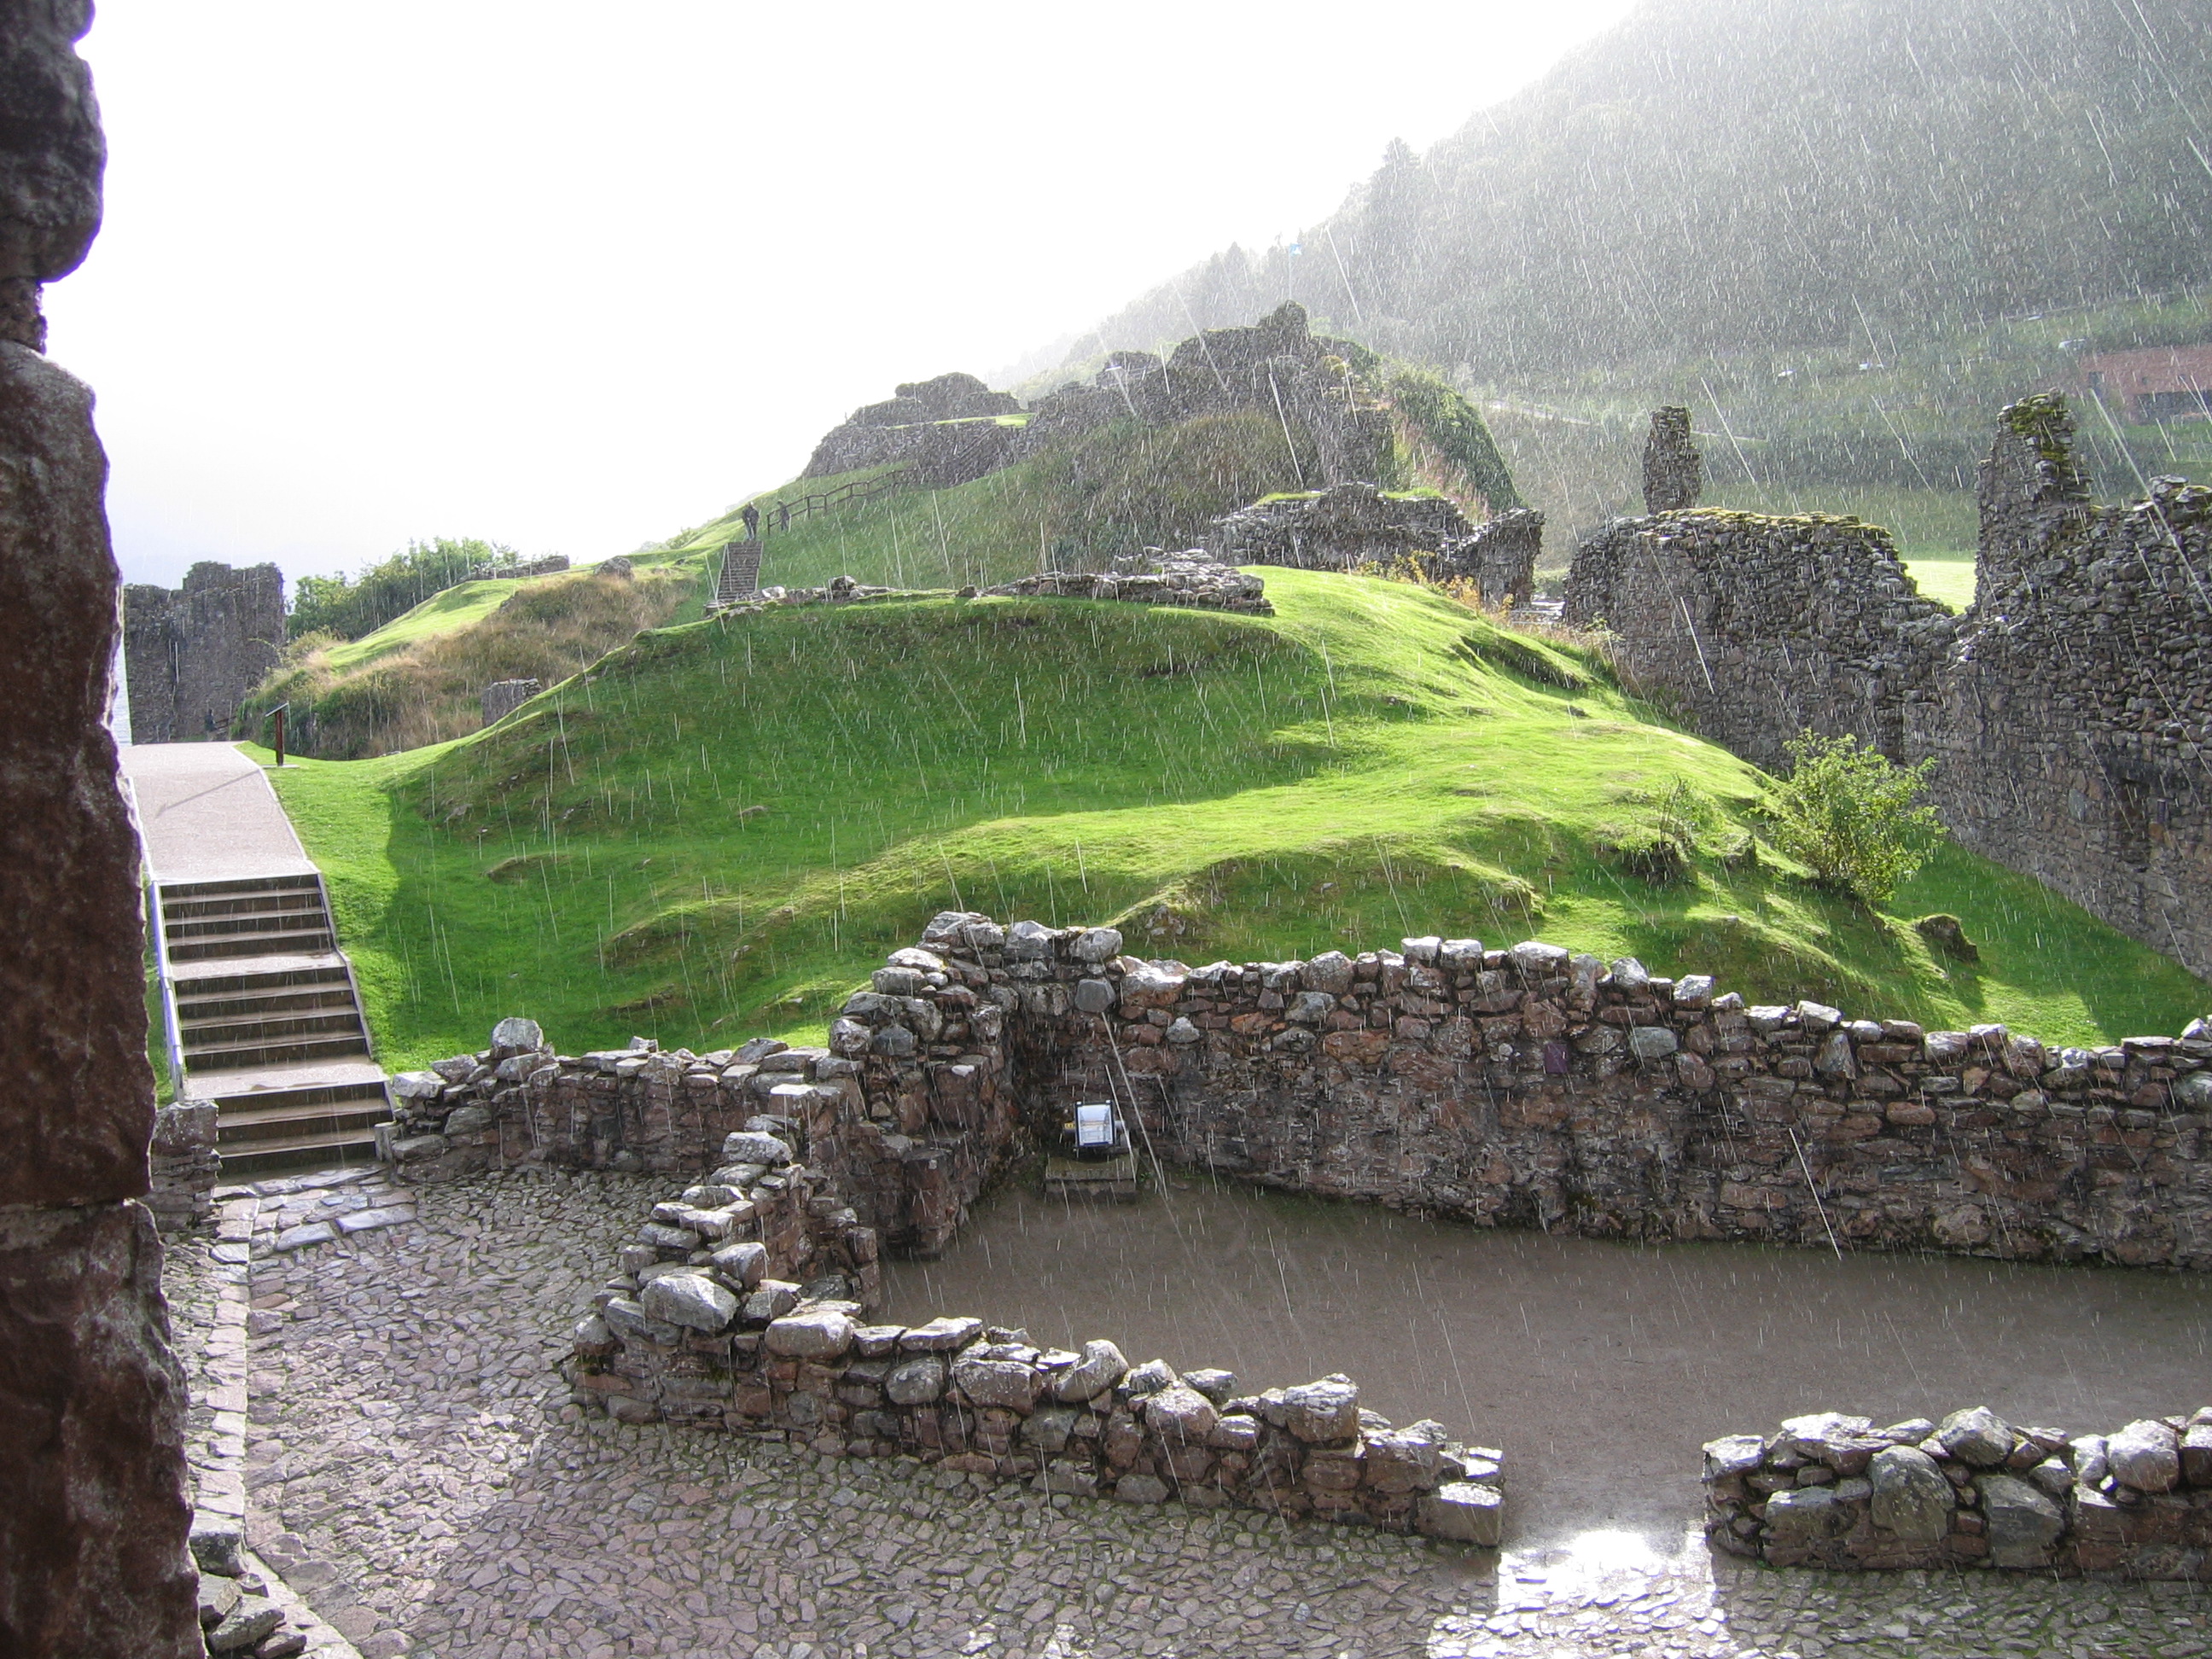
x: 1970, y: 1492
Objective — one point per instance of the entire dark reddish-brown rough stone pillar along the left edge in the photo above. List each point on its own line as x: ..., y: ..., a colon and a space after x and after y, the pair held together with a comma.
x: 92, y: 1399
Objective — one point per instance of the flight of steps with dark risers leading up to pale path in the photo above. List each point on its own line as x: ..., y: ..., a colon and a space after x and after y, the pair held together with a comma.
x: 267, y: 1021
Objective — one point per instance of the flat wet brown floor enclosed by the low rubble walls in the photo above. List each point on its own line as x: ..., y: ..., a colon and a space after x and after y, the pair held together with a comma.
x: 1600, y: 1368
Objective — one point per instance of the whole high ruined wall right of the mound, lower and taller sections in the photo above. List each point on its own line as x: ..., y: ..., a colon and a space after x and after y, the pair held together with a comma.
x: 2069, y: 709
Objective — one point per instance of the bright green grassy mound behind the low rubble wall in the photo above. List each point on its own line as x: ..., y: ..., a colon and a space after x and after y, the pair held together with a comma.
x: 724, y: 826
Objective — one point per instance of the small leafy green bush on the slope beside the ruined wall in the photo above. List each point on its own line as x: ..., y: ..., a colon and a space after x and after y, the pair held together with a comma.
x: 1853, y: 817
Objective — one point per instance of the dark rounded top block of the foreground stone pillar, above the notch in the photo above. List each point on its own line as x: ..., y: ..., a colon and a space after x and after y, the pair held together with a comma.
x: 52, y: 158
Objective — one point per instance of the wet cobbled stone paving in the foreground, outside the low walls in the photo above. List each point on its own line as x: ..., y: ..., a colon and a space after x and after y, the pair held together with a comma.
x: 417, y: 1474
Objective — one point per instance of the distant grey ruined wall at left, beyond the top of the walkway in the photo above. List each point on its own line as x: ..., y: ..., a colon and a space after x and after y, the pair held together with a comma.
x: 194, y: 654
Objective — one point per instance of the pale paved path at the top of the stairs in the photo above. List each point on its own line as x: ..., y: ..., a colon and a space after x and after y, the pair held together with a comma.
x: 209, y: 813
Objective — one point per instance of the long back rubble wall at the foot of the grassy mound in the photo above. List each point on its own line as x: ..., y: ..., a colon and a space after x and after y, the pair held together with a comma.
x: 1523, y: 1087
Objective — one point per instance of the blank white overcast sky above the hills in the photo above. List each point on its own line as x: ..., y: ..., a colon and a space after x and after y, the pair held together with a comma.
x: 574, y: 278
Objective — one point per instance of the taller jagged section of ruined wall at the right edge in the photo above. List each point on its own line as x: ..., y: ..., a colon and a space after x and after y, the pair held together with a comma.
x: 2072, y: 720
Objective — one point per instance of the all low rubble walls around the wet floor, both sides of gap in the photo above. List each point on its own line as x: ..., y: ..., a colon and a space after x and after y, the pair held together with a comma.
x: 1503, y: 1087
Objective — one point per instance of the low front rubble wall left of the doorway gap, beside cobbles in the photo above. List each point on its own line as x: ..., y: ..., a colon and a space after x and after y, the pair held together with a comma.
x: 698, y: 1331
